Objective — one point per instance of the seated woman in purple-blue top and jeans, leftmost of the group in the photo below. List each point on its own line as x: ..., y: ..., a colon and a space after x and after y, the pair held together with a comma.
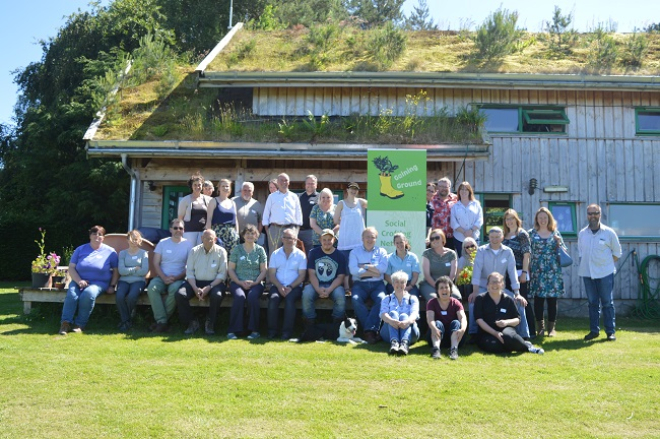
x: 93, y: 271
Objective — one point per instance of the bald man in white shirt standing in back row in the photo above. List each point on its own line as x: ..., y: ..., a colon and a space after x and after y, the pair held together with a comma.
x: 282, y: 211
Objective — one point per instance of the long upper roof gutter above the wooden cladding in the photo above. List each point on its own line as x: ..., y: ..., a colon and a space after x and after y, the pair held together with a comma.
x: 510, y: 81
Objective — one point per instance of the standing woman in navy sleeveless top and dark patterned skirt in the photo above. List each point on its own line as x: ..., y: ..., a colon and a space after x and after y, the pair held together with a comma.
x: 222, y: 218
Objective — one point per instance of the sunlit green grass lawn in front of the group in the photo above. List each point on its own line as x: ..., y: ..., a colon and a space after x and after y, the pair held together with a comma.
x: 105, y: 384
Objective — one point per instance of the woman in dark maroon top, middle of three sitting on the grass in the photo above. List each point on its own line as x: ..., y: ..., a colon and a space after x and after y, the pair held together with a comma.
x: 445, y: 316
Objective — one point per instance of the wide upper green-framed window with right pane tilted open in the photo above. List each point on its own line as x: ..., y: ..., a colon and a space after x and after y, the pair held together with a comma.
x: 524, y: 119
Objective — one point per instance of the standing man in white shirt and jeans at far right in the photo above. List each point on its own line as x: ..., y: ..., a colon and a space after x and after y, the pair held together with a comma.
x: 599, y: 249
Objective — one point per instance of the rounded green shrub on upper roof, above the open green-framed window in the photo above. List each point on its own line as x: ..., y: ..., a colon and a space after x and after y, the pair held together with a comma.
x: 497, y: 35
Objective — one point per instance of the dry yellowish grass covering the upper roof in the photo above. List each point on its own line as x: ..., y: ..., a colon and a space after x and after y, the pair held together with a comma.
x: 427, y: 51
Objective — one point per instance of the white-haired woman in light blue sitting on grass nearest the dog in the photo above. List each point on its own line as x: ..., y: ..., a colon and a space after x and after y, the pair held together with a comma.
x: 399, y: 312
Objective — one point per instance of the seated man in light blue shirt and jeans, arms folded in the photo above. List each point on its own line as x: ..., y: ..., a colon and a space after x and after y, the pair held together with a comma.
x: 367, y: 265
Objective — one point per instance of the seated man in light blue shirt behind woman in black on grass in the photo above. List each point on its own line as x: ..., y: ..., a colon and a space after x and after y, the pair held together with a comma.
x: 496, y: 257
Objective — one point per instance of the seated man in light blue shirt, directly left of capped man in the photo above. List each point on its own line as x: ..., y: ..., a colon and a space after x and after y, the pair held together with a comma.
x: 287, y: 273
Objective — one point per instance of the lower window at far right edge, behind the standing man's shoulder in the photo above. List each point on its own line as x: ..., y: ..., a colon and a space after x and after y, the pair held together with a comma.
x: 635, y: 220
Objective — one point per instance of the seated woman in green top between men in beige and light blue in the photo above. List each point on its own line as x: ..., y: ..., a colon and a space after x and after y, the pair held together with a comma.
x: 247, y: 271
